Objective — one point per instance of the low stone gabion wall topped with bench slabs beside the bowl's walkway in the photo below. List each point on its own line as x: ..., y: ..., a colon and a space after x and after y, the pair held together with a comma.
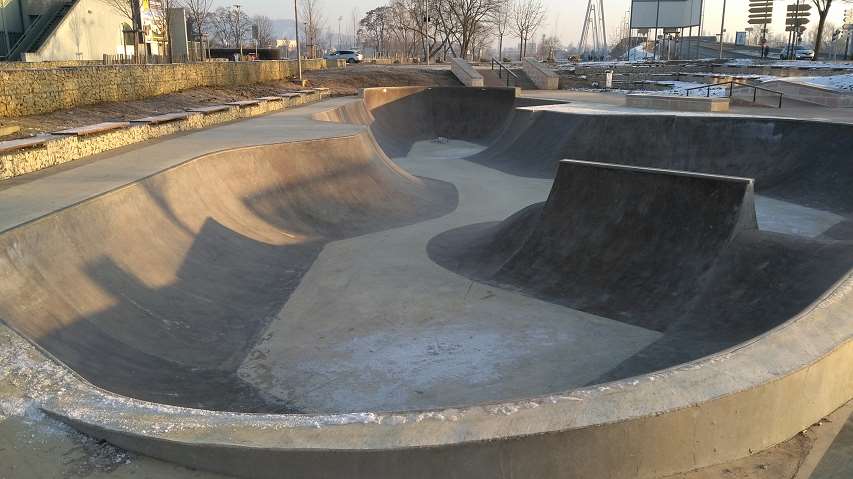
x: 58, y: 149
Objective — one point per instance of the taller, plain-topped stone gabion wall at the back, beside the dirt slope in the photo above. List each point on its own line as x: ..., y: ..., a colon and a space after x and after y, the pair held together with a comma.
x: 32, y: 91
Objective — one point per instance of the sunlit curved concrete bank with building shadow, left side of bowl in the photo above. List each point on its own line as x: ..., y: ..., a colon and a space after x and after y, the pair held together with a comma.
x: 158, y: 290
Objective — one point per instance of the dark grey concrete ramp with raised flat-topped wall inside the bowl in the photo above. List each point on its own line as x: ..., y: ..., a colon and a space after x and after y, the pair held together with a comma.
x: 675, y: 252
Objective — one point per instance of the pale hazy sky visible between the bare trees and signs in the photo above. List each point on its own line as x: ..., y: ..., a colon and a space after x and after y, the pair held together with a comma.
x: 565, y: 17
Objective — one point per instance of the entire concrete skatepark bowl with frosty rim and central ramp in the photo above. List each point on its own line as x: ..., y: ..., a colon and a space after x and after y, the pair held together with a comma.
x: 468, y: 284
